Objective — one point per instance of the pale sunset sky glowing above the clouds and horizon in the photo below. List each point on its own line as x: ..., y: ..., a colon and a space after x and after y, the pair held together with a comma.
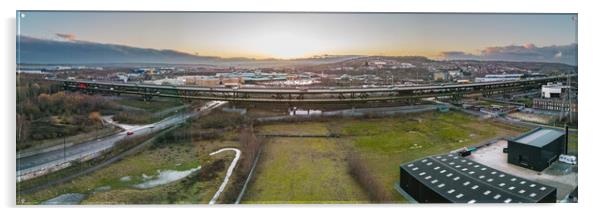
x: 293, y: 35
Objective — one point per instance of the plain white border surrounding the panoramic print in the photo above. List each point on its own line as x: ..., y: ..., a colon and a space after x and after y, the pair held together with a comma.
x: 589, y: 46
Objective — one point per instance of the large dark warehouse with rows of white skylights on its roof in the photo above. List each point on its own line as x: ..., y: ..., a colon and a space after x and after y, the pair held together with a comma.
x: 453, y: 179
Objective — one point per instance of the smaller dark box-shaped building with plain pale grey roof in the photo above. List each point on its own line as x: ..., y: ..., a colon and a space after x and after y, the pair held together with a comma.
x: 536, y: 149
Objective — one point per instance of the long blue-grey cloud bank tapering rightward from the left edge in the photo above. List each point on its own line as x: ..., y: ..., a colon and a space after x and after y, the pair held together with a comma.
x: 32, y: 50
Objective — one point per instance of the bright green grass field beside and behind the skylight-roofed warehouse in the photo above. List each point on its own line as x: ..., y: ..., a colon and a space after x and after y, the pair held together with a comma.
x: 386, y: 143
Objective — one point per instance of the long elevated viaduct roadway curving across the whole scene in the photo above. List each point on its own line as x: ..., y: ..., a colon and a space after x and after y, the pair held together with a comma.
x: 306, y: 95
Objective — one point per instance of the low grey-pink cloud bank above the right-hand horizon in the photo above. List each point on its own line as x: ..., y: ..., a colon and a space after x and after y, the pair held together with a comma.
x: 566, y: 54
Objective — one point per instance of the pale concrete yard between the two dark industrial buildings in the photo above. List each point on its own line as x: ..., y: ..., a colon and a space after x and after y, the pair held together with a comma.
x: 560, y: 175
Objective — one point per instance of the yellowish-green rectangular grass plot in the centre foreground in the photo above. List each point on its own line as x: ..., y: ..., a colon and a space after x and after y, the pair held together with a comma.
x: 303, y: 170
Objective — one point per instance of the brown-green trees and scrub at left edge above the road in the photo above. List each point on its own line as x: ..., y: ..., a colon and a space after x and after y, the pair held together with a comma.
x: 38, y: 100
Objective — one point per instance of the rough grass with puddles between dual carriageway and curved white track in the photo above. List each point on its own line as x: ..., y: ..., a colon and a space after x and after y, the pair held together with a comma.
x: 181, y: 156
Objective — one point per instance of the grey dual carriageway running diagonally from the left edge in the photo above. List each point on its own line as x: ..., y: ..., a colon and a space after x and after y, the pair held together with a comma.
x: 40, y: 162
